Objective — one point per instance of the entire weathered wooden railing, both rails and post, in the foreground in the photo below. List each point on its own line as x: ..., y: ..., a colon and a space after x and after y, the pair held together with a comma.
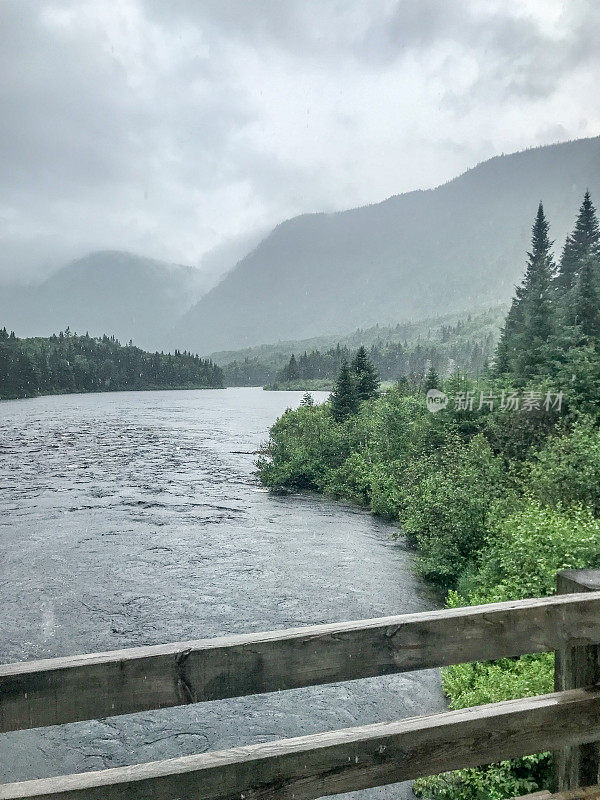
x: 56, y: 691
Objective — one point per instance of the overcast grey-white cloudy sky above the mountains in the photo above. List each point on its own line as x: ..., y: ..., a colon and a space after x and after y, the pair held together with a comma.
x: 171, y: 127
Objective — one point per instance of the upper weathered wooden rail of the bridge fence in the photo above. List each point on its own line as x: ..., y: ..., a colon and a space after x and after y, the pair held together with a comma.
x: 61, y: 690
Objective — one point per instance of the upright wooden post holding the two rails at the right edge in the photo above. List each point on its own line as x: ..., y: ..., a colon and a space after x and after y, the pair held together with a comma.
x: 577, y: 667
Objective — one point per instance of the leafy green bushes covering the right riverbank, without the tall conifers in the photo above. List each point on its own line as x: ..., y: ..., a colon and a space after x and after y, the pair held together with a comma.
x: 495, y: 502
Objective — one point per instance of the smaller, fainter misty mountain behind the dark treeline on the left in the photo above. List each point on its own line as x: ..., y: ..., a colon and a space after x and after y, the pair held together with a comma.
x: 112, y: 292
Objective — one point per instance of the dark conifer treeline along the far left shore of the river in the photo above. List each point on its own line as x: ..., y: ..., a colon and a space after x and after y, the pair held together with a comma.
x: 67, y: 363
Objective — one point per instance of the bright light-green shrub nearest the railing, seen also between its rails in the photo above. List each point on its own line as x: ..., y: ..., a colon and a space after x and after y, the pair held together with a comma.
x: 522, y: 556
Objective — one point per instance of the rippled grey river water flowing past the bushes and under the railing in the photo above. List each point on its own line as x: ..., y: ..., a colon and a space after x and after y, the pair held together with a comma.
x: 135, y: 518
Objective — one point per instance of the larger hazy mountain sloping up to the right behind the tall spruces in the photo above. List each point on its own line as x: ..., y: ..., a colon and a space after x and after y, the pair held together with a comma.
x: 454, y: 248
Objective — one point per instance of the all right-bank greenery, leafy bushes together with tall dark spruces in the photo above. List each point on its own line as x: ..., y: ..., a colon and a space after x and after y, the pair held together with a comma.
x: 498, y: 489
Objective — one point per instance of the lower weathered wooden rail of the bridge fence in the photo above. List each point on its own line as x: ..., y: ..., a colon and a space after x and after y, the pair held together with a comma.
x: 345, y: 760
